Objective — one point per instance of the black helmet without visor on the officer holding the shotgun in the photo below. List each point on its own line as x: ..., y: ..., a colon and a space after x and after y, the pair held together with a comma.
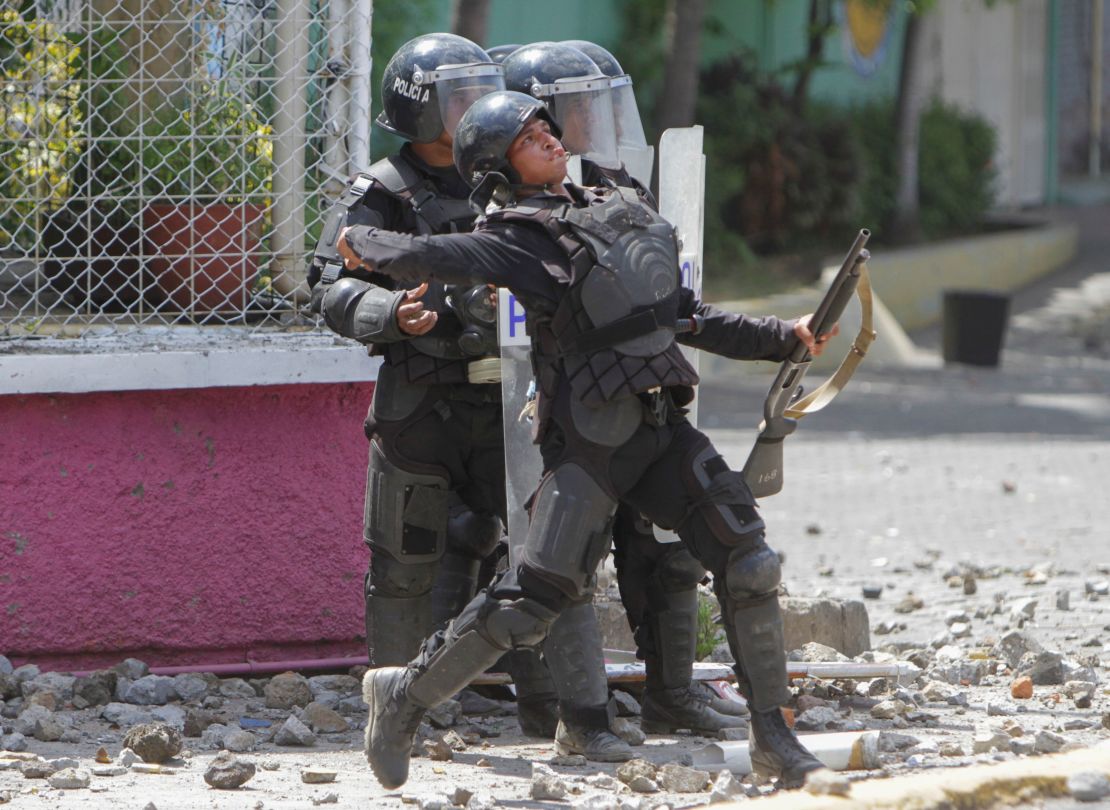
x: 488, y: 130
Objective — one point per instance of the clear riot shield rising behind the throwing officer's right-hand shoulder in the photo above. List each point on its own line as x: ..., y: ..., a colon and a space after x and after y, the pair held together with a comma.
x: 682, y: 204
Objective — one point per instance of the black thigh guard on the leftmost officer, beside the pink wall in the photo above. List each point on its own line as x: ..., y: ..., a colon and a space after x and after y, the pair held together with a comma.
x: 406, y: 512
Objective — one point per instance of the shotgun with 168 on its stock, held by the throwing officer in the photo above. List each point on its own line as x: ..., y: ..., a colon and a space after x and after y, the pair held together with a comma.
x: 764, y: 469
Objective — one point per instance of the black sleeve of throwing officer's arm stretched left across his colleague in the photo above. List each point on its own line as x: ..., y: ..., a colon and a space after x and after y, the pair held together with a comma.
x: 507, y: 256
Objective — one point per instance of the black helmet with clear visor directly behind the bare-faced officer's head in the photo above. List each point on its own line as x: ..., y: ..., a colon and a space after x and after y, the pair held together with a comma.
x: 577, y: 94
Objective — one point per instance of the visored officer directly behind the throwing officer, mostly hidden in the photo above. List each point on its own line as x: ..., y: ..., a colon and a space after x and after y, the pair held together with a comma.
x: 658, y: 582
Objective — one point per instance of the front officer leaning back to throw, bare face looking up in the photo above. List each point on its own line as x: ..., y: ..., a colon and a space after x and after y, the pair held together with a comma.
x: 598, y: 275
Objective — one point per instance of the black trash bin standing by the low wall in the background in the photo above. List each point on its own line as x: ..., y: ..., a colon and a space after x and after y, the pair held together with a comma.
x: 975, y: 326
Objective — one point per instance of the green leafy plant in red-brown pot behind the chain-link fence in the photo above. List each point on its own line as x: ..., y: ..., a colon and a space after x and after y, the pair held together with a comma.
x: 207, y: 161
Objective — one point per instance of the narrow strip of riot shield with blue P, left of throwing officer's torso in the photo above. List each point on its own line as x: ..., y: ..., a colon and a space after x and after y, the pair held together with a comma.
x: 523, y: 464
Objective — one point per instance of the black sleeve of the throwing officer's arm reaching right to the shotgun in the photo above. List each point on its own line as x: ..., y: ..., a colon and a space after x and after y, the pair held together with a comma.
x: 735, y: 336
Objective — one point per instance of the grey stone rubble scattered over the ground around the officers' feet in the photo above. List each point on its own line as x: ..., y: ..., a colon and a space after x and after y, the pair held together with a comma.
x: 1011, y: 670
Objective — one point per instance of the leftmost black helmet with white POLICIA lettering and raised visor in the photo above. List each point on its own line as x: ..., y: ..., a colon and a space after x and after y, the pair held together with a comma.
x: 431, y: 82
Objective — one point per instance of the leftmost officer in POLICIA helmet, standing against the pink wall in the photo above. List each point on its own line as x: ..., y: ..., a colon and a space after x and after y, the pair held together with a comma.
x: 436, y: 493
